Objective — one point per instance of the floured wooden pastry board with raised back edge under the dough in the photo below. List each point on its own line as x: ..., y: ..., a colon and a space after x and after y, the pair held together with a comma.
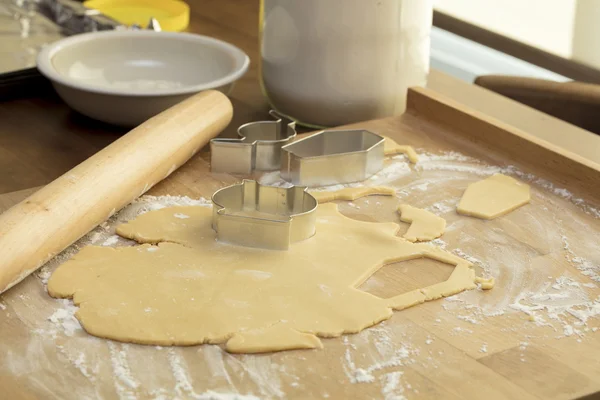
x: 535, y: 335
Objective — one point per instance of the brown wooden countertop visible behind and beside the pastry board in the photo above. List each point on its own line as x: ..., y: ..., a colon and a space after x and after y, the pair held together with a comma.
x: 41, y: 138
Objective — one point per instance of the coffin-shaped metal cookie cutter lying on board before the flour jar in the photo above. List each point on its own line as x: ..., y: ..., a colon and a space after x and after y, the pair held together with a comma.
x: 331, y: 157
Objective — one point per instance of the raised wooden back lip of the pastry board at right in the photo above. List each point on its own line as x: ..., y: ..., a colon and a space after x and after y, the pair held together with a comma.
x: 491, y: 133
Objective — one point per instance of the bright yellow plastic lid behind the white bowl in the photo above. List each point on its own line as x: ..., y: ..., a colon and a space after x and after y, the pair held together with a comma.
x: 172, y: 15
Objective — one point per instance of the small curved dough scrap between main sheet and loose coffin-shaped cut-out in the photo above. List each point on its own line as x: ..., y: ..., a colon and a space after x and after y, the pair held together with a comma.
x: 424, y: 225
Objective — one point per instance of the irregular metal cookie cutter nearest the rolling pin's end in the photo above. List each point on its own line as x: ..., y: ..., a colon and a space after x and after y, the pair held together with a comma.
x: 258, y: 147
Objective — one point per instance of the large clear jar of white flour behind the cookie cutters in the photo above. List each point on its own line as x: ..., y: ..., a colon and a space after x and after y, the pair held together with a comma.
x: 332, y: 62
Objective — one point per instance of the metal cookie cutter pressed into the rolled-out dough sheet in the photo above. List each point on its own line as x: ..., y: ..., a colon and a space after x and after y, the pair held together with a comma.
x: 250, y: 214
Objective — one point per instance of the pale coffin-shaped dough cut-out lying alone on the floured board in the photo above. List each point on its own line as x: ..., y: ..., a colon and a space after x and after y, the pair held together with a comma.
x: 493, y: 197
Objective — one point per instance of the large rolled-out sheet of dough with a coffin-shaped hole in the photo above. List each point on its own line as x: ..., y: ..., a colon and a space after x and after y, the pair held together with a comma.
x: 192, y: 289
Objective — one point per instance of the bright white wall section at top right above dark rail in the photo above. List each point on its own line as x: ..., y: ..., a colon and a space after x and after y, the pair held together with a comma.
x: 546, y: 24
